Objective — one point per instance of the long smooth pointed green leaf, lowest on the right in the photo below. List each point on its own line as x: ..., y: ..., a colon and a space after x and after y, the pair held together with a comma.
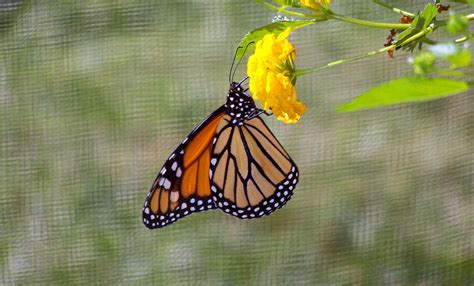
x: 409, y: 89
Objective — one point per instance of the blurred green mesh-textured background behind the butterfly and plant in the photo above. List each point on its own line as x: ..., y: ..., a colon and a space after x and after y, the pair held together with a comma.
x: 94, y: 95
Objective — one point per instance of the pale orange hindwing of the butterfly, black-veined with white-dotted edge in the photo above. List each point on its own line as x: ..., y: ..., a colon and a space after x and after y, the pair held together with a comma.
x: 251, y: 174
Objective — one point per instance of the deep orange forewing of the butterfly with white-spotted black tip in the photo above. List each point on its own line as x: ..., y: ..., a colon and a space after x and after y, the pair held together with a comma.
x: 183, y: 185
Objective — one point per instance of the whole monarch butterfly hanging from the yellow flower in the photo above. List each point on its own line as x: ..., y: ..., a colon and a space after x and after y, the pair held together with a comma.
x: 231, y: 161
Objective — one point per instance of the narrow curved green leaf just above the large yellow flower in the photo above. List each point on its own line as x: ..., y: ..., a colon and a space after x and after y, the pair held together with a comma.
x: 274, y: 28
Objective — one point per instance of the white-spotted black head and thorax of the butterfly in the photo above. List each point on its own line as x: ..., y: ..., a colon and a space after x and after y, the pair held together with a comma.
x: 239, y: 104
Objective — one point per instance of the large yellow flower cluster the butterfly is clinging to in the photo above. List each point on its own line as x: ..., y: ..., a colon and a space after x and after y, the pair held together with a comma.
x: 272, y: 79
